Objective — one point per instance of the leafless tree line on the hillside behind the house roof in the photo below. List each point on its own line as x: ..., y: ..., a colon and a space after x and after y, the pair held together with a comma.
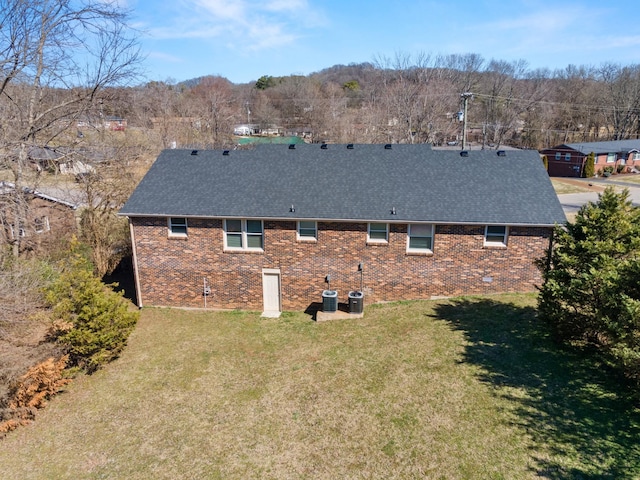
x: 405, y: 99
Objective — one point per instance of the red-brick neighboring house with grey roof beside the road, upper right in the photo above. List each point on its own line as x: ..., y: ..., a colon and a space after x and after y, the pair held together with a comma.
x: 568, y: 160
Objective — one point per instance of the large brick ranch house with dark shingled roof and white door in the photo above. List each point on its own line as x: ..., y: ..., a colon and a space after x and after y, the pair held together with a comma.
x: 262, y: 229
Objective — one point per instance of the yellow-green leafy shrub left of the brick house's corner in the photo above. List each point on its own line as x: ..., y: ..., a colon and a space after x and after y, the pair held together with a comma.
x: 91, y: 321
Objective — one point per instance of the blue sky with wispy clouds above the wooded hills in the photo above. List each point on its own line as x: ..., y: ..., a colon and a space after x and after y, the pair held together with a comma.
x: 245, y: 39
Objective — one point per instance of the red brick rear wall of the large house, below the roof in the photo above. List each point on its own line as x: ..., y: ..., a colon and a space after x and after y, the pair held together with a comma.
x: 171, y: 270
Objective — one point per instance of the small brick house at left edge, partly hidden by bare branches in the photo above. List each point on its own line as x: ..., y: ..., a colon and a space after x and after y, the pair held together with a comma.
x: 48, y: 221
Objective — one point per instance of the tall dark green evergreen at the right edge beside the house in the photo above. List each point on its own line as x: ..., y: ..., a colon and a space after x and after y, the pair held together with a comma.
x: 591, y: 289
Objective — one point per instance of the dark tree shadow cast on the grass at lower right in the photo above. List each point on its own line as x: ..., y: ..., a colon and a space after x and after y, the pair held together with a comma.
x: 585, y: 414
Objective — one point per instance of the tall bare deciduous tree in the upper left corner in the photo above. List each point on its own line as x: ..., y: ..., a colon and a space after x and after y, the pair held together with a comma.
x: 55, y: 58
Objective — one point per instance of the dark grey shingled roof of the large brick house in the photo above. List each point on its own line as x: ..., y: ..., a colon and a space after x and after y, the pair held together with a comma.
x: 364, y: 183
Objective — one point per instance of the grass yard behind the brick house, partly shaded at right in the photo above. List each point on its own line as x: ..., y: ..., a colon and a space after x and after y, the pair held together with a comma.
x: 468, y: 388
